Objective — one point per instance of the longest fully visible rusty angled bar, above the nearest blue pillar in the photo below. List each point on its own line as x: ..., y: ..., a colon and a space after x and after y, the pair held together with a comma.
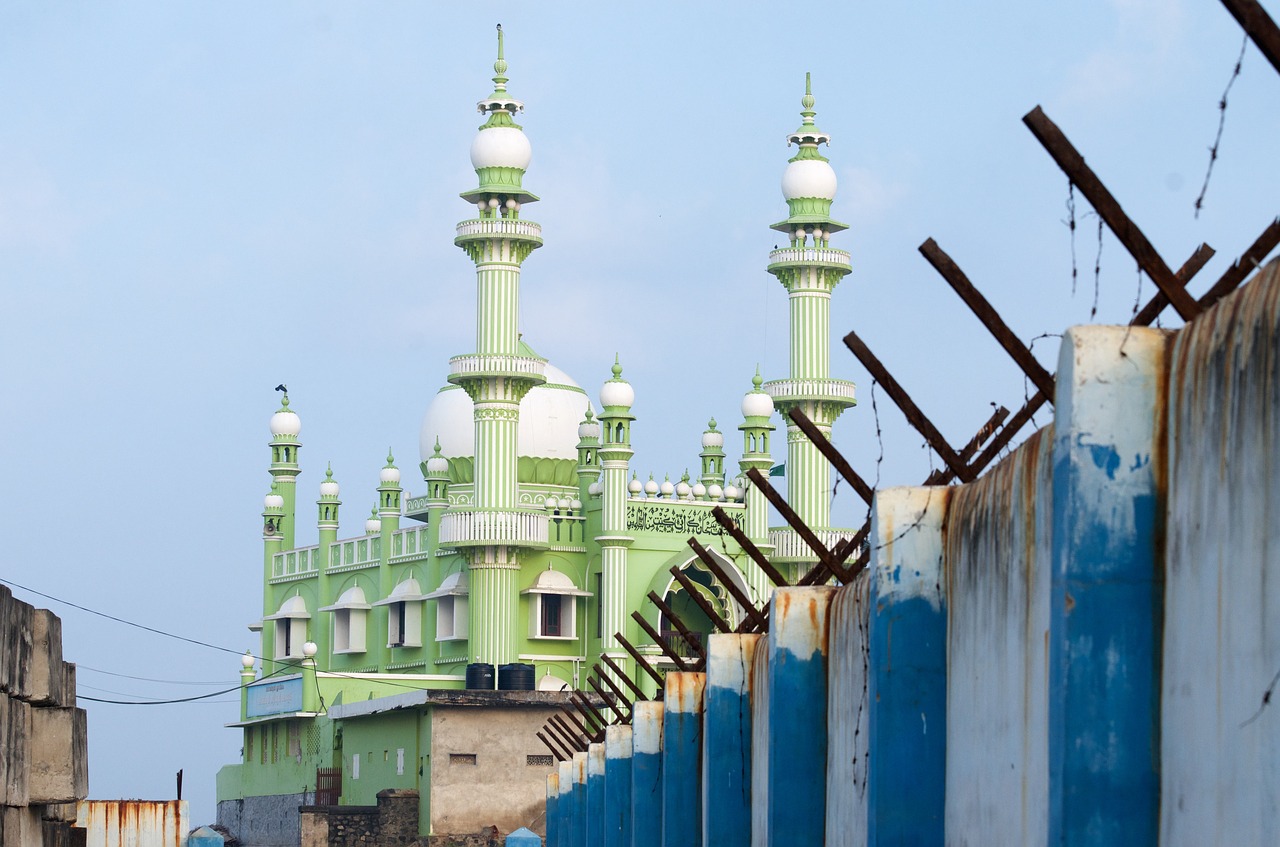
x: 1072, y: 163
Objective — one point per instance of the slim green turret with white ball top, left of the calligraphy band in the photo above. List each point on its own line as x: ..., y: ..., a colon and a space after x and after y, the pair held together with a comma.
x: 616, y: 400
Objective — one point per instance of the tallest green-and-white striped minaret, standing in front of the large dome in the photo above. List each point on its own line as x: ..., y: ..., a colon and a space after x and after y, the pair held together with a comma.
x: 496, y: 377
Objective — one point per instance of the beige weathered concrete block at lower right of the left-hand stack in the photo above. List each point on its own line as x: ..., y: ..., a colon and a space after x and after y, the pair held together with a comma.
x: 58, y: 767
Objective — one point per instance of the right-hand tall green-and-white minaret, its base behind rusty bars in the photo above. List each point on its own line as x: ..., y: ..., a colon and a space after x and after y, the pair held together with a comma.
x: 810, y: 269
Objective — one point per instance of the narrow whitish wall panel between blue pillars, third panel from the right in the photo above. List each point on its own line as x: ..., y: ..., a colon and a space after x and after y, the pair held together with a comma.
x: 848, y: 713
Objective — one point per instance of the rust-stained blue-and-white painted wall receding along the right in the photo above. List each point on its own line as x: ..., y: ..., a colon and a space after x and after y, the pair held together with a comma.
x: 1080, y: 648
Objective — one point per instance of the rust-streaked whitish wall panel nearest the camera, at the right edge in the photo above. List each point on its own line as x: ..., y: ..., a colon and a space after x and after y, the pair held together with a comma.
x: 1222, y: 651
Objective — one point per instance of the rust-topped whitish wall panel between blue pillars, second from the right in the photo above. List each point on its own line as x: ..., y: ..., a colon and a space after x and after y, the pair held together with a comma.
x: 999, y: 551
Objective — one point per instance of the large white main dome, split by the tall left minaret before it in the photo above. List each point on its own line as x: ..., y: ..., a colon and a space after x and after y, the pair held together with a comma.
x: 548, y: 420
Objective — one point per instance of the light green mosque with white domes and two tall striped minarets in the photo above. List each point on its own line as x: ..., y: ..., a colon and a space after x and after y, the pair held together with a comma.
x: 529, y: 550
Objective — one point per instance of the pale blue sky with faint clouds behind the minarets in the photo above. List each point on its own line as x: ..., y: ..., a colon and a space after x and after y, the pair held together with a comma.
x: 203, y: 200
